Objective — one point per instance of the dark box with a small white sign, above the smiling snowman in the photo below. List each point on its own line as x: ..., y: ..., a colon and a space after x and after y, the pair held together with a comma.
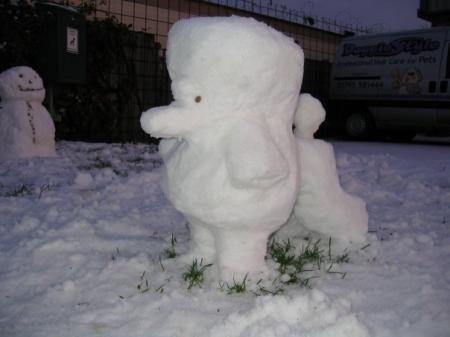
x: 62, y: 56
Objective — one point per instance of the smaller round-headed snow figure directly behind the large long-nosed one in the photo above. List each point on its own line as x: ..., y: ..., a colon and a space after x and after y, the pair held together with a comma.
x: 322, y: 205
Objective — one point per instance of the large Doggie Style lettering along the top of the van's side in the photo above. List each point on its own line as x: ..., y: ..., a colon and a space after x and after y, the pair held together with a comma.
x: 411, y: 45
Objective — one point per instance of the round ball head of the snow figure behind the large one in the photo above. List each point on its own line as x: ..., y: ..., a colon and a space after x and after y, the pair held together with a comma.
x: 308, y: 116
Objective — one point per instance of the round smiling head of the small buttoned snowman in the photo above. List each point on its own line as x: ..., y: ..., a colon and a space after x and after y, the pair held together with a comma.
x: 21, y: 83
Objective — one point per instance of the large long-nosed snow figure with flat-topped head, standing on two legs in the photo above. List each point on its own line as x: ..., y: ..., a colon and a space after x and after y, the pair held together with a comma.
x: 230, y: 157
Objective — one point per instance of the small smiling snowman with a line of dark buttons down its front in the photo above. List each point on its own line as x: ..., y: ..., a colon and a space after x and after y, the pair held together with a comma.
x: 26, y: 128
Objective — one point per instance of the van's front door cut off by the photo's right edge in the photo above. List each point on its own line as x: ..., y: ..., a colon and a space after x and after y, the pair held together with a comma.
x: 443, y: 88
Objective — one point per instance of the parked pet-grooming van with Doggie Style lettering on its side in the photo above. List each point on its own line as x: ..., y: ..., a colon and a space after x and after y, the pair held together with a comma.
x: 393, y: 82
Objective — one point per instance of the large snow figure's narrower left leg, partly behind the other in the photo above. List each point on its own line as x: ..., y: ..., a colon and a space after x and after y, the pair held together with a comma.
x: 202, y: 244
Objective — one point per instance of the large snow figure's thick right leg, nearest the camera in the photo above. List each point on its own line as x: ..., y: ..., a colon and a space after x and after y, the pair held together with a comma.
x: 241, y: 252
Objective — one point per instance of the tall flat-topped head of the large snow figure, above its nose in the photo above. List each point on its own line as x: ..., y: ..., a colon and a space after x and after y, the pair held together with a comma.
x: 232, y: 65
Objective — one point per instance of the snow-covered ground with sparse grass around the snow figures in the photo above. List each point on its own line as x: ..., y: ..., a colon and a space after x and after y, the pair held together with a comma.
x: 84, y: 242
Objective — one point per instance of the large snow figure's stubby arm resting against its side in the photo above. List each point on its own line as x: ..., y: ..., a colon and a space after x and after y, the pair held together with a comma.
x: 253, y: 160
